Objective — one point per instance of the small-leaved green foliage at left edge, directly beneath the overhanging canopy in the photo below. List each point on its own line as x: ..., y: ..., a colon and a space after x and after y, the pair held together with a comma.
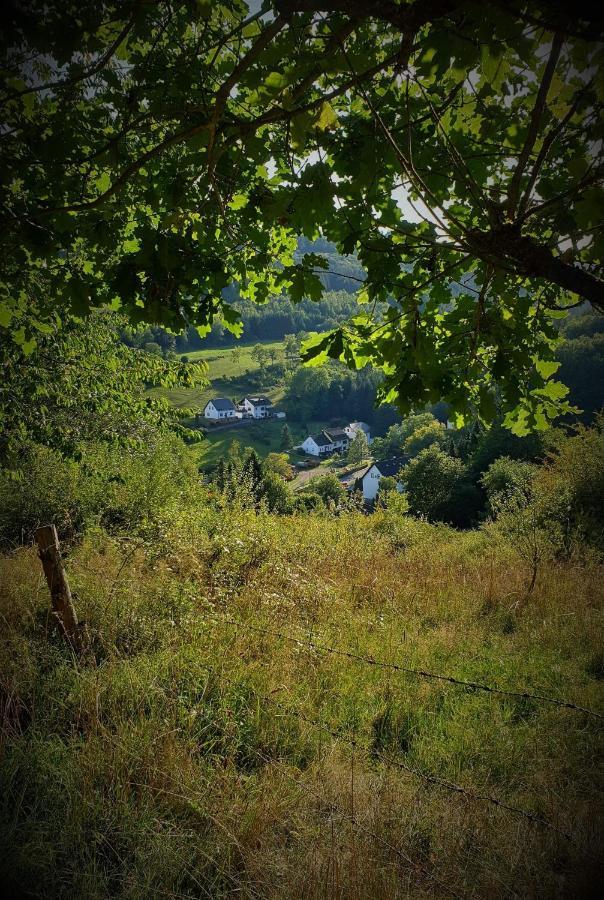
x: 80, y: 384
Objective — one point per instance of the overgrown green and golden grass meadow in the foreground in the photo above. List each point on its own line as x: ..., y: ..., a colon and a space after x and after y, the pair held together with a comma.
x: 196, y: 751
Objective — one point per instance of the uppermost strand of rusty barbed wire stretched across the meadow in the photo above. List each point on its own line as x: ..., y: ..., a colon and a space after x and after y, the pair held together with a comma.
x: 406, y: 670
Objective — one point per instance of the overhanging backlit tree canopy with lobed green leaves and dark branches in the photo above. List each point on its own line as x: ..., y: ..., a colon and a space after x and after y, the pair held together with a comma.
x: 157, y: 156
